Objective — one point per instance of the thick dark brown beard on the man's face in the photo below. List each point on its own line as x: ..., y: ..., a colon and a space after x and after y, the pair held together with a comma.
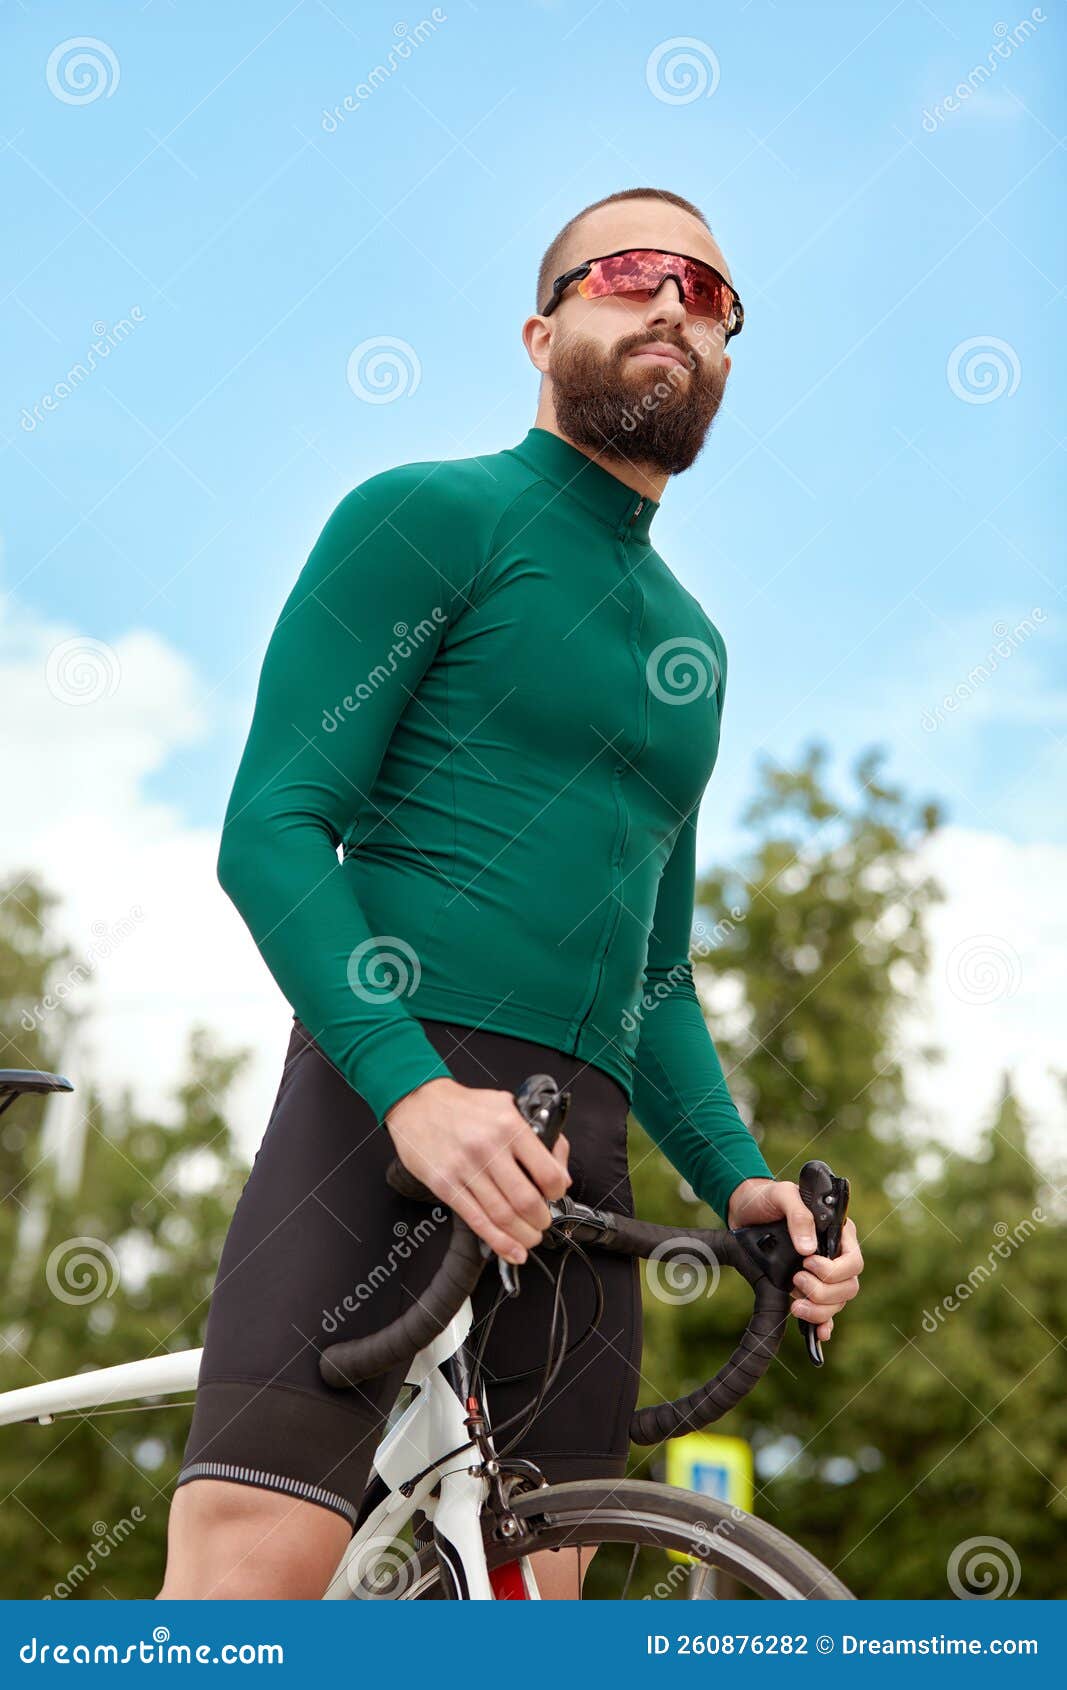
x: 657, y: 415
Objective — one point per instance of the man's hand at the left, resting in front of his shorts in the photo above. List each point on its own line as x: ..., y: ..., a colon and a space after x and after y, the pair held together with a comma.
x: 481, y: 1157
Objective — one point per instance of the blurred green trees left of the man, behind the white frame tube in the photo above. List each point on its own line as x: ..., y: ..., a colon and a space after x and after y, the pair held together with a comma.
x: 84, y: 1502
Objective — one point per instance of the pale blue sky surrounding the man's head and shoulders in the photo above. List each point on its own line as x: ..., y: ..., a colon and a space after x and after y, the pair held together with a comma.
x: 882, y: 496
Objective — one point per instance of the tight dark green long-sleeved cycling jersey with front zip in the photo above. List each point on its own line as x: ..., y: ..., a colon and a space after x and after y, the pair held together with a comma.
x: 495, y: 701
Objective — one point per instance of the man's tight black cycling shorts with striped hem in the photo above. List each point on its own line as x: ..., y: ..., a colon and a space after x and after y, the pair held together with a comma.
x: 322, y: 1250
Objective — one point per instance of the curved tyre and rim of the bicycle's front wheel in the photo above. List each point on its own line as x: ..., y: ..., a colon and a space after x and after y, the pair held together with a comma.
x: 596, y: 1512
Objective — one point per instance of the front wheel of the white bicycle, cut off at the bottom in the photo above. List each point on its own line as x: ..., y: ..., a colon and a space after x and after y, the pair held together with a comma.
x: 654, y: 1542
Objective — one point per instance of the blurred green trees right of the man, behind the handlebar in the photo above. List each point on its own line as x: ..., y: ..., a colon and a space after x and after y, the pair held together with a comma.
x: 863, y: 1463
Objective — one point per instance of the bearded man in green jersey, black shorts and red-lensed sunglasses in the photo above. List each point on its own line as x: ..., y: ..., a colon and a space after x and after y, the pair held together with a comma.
x: 493, y: 695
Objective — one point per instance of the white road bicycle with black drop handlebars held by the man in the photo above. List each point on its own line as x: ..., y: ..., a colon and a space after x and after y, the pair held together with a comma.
x: 476, y: 1515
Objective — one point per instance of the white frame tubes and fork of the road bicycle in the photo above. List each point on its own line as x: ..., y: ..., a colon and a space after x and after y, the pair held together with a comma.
x: 432, y: 1426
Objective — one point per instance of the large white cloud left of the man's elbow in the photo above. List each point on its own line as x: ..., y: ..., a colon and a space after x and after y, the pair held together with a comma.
x: 140, y: 900
